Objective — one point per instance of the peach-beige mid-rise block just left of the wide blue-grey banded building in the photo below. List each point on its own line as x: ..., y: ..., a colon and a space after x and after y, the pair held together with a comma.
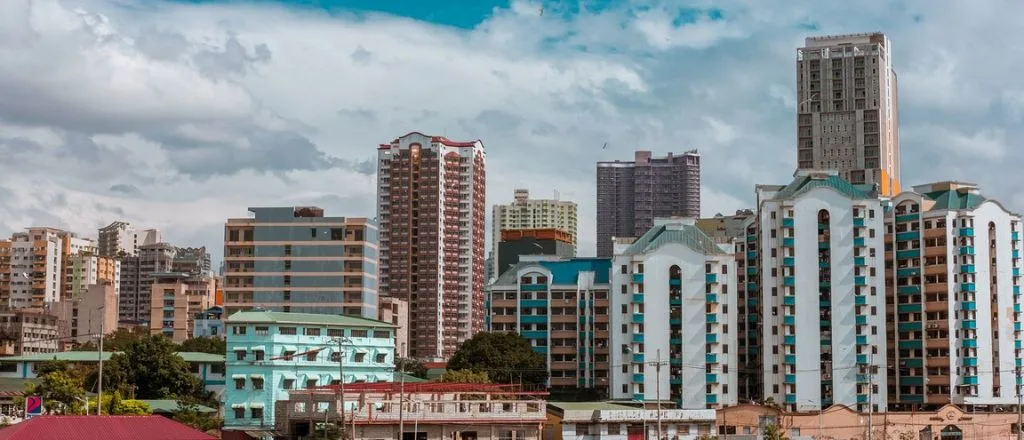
x: 176, y: 299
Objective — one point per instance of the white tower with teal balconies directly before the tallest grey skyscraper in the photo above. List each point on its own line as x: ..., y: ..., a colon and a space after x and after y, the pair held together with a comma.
x: 823, y: 293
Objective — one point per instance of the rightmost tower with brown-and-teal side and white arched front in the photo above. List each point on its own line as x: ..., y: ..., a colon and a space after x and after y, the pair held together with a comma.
x: 954, y: 262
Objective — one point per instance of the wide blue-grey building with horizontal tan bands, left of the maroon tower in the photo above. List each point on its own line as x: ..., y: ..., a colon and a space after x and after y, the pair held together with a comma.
x: 294, y: 259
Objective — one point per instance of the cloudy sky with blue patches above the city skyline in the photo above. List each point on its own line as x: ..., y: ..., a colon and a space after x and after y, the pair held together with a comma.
x: 179, y: 115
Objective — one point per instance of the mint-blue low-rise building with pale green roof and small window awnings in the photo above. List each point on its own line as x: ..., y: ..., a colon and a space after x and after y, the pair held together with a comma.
x: 270, y: 354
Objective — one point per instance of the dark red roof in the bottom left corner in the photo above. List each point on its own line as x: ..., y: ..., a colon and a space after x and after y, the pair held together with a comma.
x: 107, y: 428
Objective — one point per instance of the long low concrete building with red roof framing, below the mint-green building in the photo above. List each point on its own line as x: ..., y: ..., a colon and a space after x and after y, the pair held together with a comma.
x: 432, y: 412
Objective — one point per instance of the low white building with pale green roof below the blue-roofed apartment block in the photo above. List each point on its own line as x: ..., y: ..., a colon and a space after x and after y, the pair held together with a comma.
x: 601, y: 421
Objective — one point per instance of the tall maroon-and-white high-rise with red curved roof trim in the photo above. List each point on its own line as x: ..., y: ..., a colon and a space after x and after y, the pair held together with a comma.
x: 432, y: 207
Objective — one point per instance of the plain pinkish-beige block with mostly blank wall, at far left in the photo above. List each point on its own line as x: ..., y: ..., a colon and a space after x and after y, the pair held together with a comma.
x: 91, y: 314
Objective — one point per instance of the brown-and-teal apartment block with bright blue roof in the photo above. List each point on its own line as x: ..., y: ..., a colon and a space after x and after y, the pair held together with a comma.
x: 562, y: 307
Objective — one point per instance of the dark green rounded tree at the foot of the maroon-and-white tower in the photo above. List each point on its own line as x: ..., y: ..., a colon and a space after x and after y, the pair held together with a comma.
x: 507, y: 359
